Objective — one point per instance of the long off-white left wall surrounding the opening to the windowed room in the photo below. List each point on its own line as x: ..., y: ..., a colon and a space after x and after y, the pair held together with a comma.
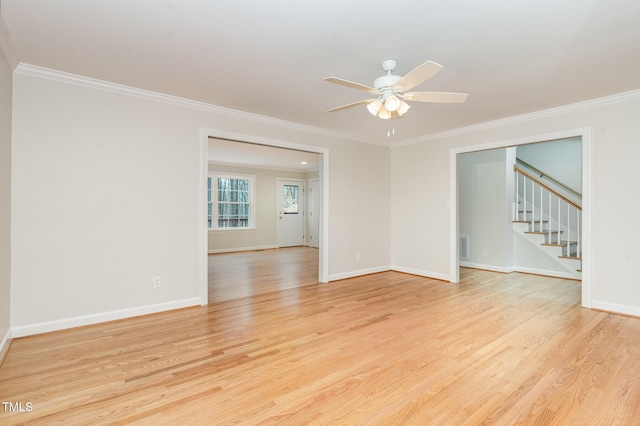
x: 106, y: 187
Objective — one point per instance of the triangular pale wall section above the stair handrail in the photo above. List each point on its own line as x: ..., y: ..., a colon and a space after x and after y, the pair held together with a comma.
x: 560, y: 159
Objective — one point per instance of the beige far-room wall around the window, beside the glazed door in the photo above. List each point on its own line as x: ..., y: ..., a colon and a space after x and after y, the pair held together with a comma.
x: 265, y: 233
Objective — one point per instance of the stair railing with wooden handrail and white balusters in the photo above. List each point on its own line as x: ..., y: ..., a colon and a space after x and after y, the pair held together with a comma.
x: 548, y: 212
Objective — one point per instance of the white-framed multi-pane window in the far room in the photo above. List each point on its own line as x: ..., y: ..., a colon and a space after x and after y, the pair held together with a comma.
x: 230, y: 201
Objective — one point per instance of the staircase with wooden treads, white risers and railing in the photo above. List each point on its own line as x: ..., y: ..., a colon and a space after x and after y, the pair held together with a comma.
x: 549, y: 215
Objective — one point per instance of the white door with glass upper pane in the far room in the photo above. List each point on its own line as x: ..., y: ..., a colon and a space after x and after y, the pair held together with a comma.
x: 290, y: 212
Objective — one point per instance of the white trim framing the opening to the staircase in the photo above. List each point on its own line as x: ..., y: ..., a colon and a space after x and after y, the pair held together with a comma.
x: 585, y: 135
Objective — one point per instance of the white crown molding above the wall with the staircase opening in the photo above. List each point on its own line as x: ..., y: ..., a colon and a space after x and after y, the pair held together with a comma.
x: 578, y: 106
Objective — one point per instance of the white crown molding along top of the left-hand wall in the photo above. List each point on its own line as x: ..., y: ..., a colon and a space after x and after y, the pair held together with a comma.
x: 78, y: 80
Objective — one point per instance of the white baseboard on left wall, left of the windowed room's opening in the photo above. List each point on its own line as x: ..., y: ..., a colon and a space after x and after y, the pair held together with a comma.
x: 63, y: 324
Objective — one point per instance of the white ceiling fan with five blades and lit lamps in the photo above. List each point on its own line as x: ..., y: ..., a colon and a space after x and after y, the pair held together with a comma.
x: 392, y: 90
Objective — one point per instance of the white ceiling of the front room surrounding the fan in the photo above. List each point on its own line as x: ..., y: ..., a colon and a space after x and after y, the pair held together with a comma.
x: 270, y: 57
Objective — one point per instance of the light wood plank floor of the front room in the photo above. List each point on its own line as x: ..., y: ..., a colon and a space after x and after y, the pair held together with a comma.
x: 388, y: 348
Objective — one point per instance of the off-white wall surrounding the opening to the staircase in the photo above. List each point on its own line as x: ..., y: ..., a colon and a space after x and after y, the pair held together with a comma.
x: 421, y: 181
